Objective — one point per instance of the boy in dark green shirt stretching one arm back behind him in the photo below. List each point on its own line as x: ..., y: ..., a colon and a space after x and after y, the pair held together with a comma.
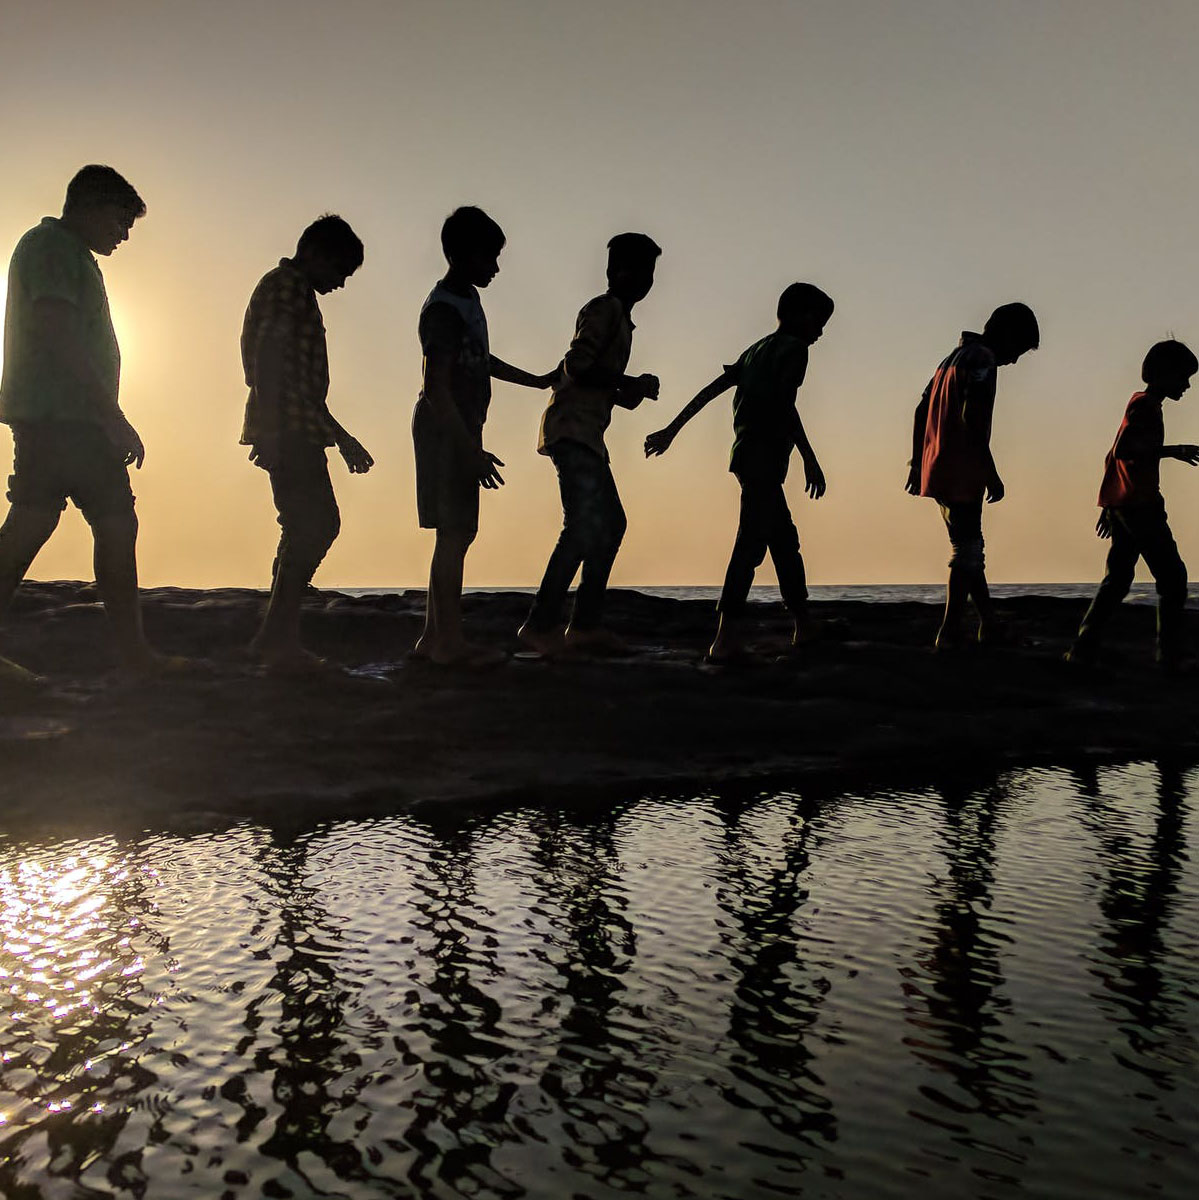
x: 766, y: 429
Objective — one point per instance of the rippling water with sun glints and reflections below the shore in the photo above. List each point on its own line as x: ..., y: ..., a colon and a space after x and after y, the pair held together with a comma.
x: 987, y: 991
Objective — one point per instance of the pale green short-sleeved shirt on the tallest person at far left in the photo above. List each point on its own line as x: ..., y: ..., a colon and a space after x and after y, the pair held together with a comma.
x: 53, y: 263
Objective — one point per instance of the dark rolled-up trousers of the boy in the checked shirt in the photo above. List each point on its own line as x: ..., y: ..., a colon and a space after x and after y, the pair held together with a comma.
x: 308, y: 509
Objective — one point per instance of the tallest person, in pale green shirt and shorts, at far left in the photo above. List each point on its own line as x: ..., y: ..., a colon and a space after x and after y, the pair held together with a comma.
x: 62, y: 376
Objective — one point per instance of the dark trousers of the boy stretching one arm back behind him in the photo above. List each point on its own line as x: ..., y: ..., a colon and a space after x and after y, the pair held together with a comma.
x: 765, y: 525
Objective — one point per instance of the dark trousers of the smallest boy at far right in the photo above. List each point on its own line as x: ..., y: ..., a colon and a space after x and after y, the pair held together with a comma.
x: 1141, y: 531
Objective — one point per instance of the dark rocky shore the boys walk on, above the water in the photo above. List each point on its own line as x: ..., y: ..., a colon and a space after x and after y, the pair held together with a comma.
x: 227, y: 742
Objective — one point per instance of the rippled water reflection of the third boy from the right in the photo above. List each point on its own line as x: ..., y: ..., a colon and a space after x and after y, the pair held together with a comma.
x: 777, y: 995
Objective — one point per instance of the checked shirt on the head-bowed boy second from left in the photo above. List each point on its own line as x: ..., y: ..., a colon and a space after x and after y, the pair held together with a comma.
x: 284, y: 311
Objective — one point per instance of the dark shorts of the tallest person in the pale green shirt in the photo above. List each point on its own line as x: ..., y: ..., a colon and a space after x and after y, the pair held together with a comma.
x: 61, y: 461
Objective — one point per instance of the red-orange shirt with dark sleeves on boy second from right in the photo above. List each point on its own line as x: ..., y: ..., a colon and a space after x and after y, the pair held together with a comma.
x: 955, y: 466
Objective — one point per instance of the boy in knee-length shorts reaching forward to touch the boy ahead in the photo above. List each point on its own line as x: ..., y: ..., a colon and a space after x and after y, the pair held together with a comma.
x: 447, y: 427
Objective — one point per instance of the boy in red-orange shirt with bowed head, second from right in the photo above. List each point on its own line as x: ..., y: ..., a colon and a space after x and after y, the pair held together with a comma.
x: 952, y: 459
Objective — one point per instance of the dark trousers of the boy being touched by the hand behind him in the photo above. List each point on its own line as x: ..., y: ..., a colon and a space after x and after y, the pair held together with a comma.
x: 593, y: 526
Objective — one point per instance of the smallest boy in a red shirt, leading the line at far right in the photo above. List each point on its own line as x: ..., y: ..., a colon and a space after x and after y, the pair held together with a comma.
x: 1134, y: 511
